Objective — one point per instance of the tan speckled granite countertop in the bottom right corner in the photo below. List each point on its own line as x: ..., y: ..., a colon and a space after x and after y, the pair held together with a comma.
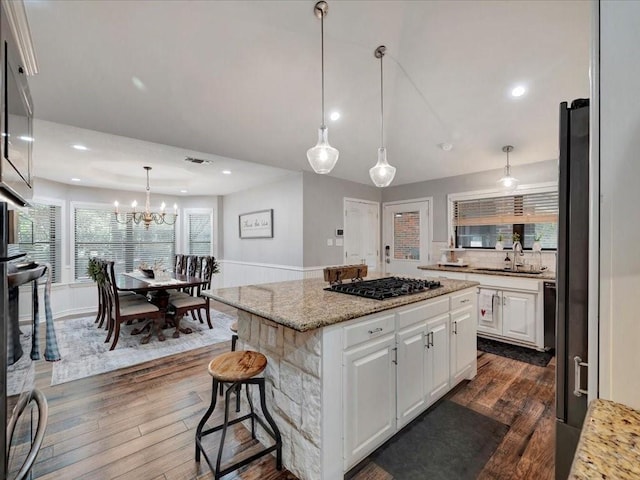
x: 609, y: 445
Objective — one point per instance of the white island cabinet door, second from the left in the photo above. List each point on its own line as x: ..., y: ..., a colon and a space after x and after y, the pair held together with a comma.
x: 410, y: 372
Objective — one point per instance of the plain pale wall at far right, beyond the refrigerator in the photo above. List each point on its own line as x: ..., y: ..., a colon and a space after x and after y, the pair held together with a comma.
x: 620, y: 200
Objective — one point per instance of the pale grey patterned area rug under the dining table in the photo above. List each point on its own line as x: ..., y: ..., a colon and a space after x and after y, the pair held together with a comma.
x: 84, y: 352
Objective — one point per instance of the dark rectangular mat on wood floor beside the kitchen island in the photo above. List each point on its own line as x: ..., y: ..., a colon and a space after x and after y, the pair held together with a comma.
x: 446, y: 442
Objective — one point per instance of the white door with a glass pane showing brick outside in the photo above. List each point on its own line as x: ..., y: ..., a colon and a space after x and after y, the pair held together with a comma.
x: 406, y: 233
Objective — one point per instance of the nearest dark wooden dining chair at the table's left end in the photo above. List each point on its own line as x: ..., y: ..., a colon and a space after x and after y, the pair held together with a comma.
x: 125, y: 309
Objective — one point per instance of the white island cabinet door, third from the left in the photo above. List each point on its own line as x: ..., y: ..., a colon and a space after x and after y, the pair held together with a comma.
x: 437, y: 364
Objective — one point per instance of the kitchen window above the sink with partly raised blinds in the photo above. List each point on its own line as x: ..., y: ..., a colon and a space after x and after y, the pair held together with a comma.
x: 480, y: 222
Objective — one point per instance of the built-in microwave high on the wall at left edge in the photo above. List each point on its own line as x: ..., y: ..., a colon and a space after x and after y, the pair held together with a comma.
x: 16, y: 126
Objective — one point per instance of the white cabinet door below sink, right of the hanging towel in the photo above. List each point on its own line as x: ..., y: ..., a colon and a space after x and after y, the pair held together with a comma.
x: 519, y: 316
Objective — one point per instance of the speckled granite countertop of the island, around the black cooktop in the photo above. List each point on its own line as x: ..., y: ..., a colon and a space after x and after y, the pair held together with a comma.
x: 305, y: 305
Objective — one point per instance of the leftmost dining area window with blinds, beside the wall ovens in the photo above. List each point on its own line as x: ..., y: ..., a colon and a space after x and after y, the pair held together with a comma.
x: 39, y: 236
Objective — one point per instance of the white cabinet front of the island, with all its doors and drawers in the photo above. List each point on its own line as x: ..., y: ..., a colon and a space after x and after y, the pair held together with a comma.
x: 395, y: 365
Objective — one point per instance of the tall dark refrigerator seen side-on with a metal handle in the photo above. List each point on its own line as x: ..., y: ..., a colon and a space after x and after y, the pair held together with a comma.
x: 572, y: 277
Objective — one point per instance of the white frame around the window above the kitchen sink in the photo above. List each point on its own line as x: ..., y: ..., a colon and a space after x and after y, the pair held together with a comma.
x: 546, y: 187
